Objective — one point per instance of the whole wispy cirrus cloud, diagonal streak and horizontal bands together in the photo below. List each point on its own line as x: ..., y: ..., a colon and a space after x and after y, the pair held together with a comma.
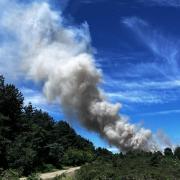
x: 147, y: 82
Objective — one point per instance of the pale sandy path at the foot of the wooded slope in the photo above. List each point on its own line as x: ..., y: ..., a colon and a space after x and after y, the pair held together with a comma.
x: 48, y: 176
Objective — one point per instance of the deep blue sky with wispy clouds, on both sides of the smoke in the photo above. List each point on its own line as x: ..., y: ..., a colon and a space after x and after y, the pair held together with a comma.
x: 136, y: 45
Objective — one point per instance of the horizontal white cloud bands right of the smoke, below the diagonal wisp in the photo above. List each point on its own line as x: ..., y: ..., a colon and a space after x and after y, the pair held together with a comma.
x: 142, y: 91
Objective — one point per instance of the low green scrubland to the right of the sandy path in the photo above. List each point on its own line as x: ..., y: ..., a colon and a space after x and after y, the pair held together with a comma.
x: 135, y: 165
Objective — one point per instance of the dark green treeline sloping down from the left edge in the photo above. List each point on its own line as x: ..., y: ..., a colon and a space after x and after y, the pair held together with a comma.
x: 31, y: 141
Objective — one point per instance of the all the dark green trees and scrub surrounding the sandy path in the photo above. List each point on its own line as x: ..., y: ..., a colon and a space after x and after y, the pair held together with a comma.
x: 32, y: 142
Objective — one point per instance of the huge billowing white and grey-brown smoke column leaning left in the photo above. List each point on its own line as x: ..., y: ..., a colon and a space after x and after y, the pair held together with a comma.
x: 60, y: 57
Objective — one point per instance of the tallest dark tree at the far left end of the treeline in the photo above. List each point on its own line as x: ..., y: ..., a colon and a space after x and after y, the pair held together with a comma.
x: 11, y: 102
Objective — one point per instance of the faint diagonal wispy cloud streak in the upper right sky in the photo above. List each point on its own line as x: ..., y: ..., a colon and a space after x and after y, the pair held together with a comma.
x: 166, y: 50
